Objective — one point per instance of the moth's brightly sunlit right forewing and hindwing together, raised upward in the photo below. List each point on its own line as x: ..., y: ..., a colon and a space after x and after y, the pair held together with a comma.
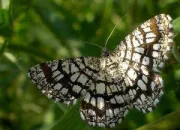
x: 144, y: 53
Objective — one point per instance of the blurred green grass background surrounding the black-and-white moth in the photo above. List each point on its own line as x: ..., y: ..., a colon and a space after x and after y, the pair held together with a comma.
x: 35, y: 31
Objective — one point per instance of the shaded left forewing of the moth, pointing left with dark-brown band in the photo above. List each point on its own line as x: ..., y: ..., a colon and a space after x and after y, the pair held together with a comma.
x: 64, y: 80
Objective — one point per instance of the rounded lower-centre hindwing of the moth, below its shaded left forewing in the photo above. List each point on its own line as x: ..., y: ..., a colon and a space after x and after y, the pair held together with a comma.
x: 105, y: 104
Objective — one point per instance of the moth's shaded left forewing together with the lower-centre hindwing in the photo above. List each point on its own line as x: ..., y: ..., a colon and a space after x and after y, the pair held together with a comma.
x: 103, y: 101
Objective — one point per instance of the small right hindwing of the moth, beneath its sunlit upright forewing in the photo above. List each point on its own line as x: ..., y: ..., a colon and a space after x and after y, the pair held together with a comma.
x: 148, y: 92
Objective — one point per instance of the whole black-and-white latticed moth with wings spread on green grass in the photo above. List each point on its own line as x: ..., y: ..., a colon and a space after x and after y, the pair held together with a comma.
x: 111, y: 85
